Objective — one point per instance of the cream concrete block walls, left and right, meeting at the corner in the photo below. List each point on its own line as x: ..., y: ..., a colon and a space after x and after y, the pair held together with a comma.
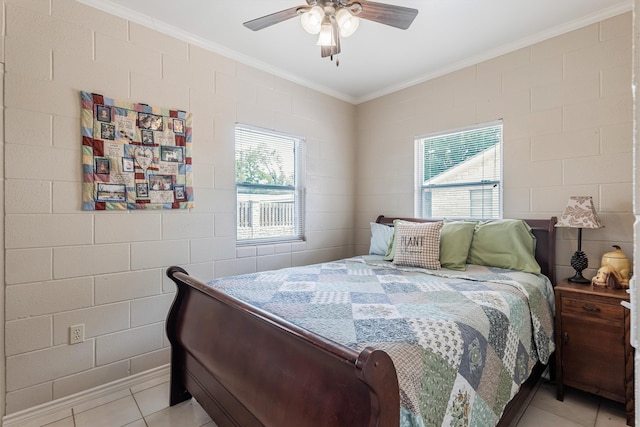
x: 566, y: 105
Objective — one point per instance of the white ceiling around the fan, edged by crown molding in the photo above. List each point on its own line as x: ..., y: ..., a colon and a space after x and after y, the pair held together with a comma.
x: 446, y: 35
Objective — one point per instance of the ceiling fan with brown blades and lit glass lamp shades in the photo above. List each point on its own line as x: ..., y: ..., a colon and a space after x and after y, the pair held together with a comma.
x: 331, y: 19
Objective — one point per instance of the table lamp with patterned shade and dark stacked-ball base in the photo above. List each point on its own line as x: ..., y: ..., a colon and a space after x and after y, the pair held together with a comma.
x: 579, y: 214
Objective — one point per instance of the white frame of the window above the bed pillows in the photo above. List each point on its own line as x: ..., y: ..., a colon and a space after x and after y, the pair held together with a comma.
x: 419, y: 181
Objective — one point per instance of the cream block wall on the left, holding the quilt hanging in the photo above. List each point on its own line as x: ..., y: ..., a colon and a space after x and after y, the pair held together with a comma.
x: 65, y: 266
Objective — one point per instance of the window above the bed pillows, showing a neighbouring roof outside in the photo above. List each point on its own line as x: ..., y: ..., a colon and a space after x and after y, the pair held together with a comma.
x: 458, y: 173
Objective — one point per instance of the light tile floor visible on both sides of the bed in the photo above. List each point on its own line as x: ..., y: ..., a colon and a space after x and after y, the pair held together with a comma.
x: 146, y: 405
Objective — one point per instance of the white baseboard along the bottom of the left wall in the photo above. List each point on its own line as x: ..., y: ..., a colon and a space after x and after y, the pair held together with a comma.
x: 59, y: 407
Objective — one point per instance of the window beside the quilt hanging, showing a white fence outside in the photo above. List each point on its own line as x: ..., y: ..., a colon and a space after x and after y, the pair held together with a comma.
x: 268, y: 186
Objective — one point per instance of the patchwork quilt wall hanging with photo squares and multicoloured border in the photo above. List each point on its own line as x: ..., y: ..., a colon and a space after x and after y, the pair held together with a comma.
x: 134, y: 156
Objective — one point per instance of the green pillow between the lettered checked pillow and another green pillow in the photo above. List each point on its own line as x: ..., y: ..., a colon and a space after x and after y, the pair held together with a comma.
x: 455, y: 241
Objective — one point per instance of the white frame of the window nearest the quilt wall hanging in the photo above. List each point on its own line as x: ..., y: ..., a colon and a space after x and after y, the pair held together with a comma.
x: 297, y: 189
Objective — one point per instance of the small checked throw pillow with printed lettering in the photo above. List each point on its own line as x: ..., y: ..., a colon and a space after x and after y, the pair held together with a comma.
x: 418, y: 245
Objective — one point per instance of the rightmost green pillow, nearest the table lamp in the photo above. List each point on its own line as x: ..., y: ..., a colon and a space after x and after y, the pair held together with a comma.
x: 505, y: 243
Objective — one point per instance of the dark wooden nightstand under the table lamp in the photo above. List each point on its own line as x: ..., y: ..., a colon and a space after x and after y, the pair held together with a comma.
x: 592, y: 343
